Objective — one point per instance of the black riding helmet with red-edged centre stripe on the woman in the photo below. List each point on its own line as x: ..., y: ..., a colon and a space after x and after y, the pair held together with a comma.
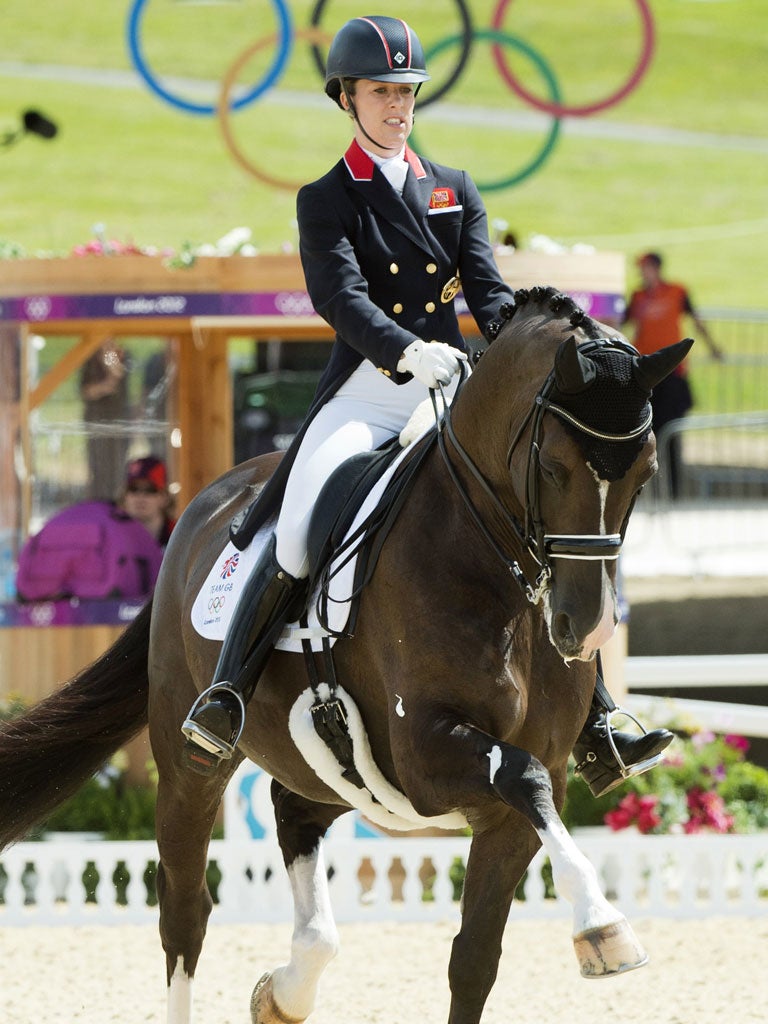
x: 379, y: 49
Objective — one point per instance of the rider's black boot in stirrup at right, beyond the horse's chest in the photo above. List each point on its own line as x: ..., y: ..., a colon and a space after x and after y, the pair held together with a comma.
x: 606, y: 757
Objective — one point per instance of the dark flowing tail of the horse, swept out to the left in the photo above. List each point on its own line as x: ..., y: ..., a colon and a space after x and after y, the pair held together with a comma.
x: 51, y: 751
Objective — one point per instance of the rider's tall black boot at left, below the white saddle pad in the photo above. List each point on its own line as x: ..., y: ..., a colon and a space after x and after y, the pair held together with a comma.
x: 217, y: 719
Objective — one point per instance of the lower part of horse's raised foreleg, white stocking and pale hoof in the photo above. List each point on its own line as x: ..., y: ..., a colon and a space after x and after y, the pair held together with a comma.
x: 604, y: 940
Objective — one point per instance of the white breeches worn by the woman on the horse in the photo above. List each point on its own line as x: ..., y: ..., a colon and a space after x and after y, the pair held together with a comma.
x: 366, y: 411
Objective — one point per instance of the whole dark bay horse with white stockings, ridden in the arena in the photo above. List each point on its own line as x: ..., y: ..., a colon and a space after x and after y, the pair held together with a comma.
x: 472, y: 667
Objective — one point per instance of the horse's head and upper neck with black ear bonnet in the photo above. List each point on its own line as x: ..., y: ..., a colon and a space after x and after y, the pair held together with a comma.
x: 579, y: 450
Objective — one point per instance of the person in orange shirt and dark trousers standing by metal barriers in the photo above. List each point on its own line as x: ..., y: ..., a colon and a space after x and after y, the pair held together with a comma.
x: 657, y: 311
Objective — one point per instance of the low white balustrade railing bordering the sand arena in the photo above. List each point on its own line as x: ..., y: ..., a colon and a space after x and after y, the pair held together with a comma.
x: 381, y: 879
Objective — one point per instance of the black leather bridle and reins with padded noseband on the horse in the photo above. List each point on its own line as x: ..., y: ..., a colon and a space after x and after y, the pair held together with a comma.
x: 531, y: 534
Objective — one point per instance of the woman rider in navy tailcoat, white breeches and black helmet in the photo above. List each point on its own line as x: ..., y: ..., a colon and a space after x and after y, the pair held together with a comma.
x: 386, y: 240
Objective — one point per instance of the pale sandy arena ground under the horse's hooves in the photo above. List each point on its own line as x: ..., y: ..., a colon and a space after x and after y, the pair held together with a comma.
x: 701, y: 972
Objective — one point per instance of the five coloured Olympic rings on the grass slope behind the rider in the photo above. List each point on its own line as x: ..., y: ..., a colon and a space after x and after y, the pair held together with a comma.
x: 281, y: 46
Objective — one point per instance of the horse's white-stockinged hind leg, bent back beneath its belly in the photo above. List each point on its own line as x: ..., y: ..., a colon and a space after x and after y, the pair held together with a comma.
x: 287, y: 995
